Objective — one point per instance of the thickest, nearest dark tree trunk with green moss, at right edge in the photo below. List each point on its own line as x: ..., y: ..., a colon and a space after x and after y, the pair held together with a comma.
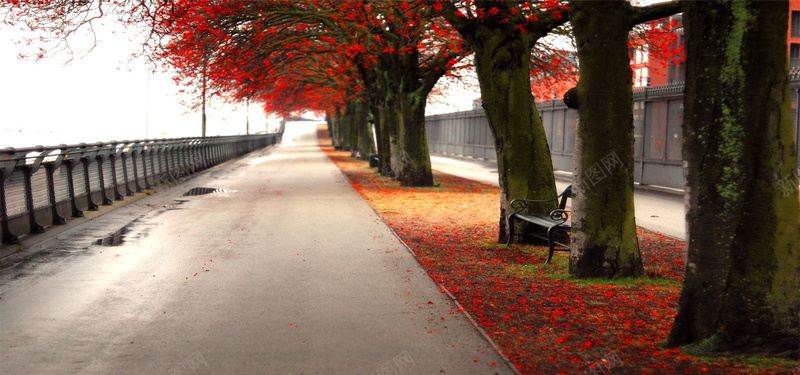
x: 741, y: 293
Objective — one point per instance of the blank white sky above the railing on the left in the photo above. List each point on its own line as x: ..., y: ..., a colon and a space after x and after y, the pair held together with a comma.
x: 100, y: 97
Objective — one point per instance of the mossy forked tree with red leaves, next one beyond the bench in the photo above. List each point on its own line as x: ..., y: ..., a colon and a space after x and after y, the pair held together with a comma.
x: 410, y: 50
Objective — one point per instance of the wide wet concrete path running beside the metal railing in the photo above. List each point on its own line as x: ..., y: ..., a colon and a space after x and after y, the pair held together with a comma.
x: 288, y: 271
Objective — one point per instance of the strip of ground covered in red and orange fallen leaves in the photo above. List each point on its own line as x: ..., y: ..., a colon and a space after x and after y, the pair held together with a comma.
x: 544, y: 321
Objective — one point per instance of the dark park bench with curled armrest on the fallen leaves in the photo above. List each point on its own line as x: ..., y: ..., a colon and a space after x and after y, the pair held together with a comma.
x: 553, y: 227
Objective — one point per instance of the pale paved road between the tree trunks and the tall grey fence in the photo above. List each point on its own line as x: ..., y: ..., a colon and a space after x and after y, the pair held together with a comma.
x: 658, y: 211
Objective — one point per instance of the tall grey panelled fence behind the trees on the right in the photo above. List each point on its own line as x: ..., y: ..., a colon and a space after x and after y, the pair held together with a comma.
x: 658, y: 116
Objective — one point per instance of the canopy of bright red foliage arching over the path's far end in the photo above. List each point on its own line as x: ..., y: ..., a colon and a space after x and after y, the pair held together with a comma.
x: 301, y: 56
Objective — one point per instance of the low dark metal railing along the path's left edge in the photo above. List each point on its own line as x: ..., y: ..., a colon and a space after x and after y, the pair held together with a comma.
x: 41, y: 186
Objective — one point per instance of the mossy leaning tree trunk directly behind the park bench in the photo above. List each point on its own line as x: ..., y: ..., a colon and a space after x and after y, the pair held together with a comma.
x: 524, y: 165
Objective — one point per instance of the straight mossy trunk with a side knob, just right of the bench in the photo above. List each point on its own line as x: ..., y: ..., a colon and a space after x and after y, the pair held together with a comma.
x: 604, y: 240
